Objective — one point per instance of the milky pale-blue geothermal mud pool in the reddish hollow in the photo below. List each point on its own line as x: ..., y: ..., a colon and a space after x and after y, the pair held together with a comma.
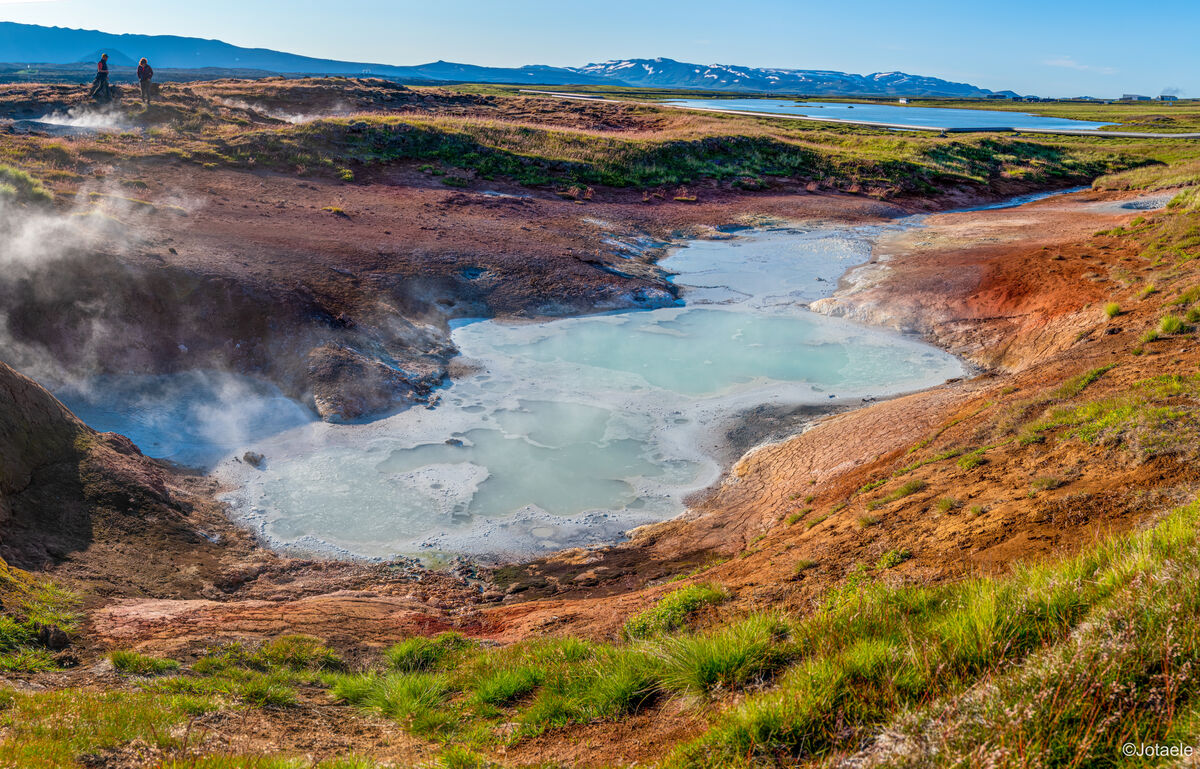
x: 571, y: 434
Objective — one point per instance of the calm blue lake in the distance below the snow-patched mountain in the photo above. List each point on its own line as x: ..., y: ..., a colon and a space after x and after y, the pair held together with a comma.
x: 892, y: 115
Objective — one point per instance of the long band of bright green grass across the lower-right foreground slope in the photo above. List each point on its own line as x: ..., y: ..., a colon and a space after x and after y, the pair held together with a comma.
x: 872, y: 656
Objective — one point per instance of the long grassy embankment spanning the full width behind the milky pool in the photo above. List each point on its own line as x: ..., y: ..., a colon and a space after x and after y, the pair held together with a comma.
x: 548, y: 143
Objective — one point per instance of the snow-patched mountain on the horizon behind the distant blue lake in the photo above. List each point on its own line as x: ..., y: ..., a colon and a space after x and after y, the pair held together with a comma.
x: 719, y: 77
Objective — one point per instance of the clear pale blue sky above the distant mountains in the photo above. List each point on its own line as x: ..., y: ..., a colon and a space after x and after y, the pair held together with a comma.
x: 1047, y: 47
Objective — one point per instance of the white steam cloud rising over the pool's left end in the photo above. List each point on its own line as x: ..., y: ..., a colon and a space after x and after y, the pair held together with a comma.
x: 67, y: 322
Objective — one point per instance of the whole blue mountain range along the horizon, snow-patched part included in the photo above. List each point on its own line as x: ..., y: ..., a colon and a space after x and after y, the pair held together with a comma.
x: 33, y: 45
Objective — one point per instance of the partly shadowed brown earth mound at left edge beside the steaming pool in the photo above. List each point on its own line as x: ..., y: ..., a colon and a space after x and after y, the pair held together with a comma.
x: 91, y: 507
